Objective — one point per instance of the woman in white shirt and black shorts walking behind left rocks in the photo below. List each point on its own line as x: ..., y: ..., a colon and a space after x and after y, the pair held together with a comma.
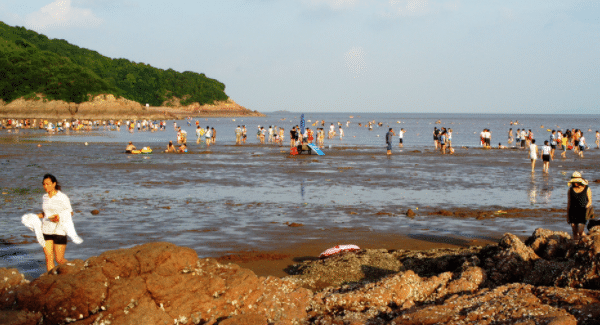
x: 57, y: 222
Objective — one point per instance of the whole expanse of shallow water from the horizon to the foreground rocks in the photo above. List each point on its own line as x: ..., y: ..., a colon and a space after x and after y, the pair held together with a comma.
x: 216, y: 199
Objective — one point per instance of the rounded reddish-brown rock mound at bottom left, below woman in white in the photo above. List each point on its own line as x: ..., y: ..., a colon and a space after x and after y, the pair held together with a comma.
x: 156, y: 283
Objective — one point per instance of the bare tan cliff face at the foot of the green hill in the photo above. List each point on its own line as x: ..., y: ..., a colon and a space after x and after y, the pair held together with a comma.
x: 110, y: 107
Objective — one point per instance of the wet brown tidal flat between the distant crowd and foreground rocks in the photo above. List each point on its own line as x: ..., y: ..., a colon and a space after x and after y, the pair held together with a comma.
x: 257, y: 206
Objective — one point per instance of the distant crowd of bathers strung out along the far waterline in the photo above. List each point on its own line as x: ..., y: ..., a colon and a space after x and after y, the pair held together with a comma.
x: 564, y: 140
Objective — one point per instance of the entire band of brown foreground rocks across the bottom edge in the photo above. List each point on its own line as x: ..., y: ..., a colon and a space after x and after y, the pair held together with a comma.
x: 547, y: 279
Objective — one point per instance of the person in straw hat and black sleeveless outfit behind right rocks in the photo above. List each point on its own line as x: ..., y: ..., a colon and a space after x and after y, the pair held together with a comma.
x: 579, y: 200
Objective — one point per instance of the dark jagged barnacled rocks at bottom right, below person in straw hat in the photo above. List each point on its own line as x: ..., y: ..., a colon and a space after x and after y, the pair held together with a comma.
x: 511, y: 282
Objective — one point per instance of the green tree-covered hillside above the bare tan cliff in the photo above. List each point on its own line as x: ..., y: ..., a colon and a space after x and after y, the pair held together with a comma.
x: 32, y: 63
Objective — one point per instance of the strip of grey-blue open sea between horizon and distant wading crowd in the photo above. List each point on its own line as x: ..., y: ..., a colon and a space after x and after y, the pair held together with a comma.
x: 419, y: 128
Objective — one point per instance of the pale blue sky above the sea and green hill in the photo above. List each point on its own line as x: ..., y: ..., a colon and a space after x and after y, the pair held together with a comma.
x: 431, y: 56
